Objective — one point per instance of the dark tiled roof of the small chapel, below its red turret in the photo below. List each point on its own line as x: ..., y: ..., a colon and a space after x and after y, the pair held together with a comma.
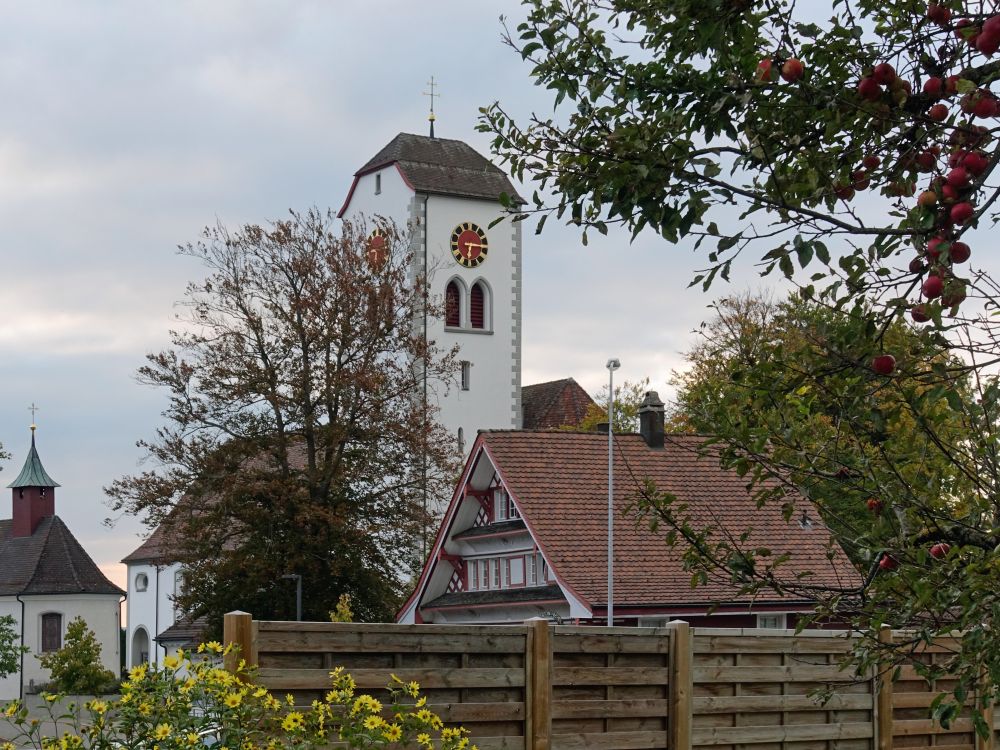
x: 50, y: 561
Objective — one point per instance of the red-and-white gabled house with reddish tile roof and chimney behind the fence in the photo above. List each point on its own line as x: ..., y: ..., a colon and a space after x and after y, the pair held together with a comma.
x: 526, y: 535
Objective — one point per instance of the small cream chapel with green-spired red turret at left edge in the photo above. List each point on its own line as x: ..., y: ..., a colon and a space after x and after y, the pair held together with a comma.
x: 47, y: 580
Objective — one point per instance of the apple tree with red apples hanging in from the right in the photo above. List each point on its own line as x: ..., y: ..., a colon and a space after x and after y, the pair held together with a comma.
x: 855, y: 157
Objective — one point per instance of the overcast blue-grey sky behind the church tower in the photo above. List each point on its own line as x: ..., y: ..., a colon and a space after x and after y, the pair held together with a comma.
x: 128, y: 126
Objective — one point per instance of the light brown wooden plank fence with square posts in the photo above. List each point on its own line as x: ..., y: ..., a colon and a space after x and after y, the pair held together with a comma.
x: 541, y: 687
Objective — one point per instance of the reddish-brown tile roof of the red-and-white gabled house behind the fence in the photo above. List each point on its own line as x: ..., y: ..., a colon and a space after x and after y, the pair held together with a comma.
x: 559, y: 480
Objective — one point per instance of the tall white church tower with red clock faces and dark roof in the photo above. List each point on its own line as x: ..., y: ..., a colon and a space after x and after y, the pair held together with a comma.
x: 448, y: 195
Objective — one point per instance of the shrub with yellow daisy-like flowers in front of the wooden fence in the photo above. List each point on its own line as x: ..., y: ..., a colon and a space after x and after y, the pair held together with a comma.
x: 191, y: 702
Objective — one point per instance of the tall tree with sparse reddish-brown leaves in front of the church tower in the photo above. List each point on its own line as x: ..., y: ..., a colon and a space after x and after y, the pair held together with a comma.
x: 295, y: 443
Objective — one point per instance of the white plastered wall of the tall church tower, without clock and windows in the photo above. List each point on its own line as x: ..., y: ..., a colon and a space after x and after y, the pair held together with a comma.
x: 493, y: 353
